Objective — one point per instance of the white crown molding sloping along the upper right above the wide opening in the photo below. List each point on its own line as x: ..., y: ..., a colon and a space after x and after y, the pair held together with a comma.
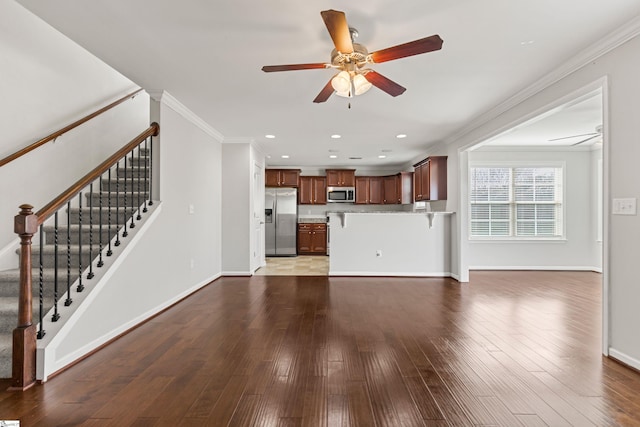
x: 613, y: 40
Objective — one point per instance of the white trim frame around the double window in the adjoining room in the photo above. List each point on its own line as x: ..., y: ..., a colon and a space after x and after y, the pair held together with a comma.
x: 512, y: 164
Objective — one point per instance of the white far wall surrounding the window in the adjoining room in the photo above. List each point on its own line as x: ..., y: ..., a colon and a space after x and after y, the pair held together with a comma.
x: 577, y: 250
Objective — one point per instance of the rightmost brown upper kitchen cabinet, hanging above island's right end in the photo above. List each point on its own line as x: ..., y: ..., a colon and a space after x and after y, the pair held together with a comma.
x: 430, y: 179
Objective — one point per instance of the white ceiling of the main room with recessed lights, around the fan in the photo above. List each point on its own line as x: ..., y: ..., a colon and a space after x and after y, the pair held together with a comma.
x: 208, y: 55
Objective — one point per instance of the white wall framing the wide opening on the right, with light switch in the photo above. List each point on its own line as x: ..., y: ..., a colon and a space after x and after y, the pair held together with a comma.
x: 621, y: 68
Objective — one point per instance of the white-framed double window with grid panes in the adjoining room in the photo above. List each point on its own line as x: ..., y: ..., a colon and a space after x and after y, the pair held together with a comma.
x: 516, y: 201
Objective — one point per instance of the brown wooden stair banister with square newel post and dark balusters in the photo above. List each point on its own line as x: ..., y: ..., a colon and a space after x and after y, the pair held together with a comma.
x: 26, y: 225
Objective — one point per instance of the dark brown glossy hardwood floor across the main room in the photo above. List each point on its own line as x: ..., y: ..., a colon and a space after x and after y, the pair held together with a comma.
x: 509, y: 349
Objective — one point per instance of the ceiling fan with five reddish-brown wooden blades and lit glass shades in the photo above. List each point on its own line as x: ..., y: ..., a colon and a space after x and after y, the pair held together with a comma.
x: 352, y: 58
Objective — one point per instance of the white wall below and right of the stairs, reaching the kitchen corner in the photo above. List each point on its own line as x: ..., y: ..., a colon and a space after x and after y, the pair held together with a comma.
x: 179, y: 252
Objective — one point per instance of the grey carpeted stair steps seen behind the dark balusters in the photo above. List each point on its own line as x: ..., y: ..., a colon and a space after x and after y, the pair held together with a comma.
x: 80, y: 240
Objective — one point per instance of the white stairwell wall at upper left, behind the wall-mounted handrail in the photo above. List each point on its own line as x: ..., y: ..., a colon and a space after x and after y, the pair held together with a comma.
x: 47, y: 81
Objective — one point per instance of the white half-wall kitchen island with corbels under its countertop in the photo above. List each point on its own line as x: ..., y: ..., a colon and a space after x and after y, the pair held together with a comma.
x: 390, y: 244
